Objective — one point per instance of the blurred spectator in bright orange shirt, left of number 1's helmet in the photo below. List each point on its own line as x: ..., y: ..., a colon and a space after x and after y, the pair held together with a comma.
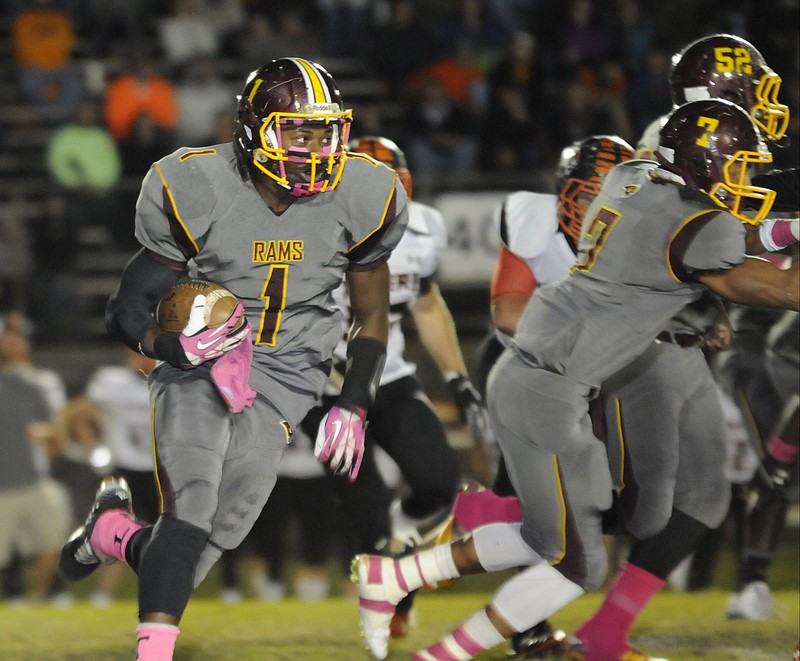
x: 140, y: 91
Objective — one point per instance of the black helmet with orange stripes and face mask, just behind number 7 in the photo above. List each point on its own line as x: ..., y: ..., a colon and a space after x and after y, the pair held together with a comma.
x: 579, y: 176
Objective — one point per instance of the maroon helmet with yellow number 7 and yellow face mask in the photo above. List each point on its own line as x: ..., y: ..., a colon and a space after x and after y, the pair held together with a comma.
x: 711, y: 144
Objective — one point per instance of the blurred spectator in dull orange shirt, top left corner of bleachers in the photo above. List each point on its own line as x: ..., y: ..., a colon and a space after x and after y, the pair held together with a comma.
x: 43, y: 37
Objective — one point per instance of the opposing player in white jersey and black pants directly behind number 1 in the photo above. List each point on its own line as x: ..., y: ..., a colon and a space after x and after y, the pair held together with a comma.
x: 402, y: 420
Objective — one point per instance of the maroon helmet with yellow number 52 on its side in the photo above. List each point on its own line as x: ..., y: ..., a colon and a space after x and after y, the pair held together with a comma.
x: 723, y: 66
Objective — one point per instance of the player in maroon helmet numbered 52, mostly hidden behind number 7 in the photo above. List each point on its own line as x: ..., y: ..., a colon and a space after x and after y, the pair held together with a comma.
x: 670, y: 475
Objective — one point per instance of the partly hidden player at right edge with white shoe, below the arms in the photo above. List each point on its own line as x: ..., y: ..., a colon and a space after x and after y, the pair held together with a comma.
x: 761, y: 372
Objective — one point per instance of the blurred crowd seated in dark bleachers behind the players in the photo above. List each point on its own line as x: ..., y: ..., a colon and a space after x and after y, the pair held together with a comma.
x: 481, y: 94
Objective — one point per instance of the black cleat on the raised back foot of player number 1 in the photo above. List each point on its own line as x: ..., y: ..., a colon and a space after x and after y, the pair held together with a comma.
x: 78, y: 558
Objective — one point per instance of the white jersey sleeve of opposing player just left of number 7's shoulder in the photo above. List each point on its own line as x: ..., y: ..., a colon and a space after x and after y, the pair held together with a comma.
x: 527, y: 222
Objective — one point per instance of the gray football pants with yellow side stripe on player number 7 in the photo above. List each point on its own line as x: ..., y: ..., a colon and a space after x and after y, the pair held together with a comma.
x: 558, y: 468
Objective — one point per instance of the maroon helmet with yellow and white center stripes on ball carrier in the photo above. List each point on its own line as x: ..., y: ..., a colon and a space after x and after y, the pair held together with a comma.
x: 293, y: 92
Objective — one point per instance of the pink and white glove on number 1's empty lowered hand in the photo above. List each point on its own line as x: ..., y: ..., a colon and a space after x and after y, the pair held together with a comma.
x: 340, y: 440
